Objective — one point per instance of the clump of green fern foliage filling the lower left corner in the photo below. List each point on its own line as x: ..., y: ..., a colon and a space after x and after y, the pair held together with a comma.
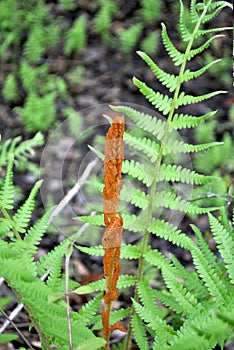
x: 21, y: 271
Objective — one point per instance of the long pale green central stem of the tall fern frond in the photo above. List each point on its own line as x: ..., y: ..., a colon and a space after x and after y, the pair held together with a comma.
x: 157, y: 168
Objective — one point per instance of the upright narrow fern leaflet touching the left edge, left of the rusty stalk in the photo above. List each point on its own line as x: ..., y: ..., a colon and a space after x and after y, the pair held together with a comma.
x: 7, y: 188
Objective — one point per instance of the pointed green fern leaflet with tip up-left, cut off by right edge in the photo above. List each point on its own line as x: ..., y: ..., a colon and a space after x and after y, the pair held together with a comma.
x: 225, y: 243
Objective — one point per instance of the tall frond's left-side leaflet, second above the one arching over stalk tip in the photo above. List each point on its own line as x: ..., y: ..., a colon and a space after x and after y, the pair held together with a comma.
x: 168, y: 80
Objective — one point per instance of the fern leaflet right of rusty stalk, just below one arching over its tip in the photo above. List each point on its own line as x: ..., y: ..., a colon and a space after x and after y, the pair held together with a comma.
x: 149, y: 147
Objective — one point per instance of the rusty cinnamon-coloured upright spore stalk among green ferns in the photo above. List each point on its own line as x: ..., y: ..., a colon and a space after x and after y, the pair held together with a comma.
x: 111, y: 240
